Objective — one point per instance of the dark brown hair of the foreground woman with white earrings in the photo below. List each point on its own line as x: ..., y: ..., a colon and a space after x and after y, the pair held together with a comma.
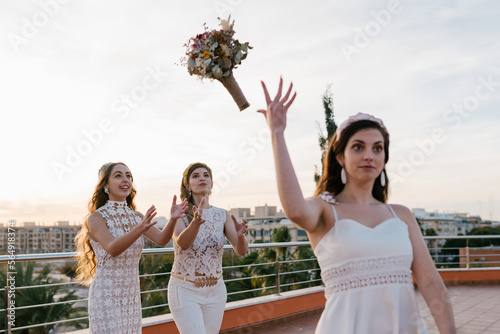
x: 330, y: 180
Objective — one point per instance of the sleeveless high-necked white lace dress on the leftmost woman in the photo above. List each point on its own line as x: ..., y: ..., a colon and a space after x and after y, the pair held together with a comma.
x: 114, y: 296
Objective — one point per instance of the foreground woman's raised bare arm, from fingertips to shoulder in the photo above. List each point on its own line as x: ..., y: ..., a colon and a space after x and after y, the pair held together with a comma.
x: 304, y: 213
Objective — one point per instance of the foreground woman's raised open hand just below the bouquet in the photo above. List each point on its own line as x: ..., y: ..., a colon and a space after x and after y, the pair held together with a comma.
x: 277, y: 108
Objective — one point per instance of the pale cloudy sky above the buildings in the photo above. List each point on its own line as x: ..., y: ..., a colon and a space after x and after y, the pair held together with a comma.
x: 89, y: 82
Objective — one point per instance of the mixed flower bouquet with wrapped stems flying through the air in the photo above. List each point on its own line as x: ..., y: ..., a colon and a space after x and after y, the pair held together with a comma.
x: 214, y: 54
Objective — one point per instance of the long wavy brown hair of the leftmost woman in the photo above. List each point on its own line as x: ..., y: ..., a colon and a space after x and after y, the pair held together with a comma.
x: 86, y: 261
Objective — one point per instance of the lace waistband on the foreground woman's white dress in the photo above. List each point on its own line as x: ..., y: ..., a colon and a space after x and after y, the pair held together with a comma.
x: 368, y: 272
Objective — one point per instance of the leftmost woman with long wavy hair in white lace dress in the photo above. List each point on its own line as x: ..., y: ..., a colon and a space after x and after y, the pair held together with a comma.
x: 109, y: 249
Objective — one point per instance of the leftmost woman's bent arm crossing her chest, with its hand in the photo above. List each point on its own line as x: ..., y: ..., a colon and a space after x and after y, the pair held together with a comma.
x: 115, y: 246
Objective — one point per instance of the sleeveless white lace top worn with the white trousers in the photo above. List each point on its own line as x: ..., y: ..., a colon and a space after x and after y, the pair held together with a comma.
x: 205, y: 254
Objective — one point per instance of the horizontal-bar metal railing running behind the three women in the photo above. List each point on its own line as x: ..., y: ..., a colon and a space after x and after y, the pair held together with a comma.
x: 276, y: 275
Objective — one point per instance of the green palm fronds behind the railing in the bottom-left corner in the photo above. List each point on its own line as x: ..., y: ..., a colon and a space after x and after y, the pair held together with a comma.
x: 43, y: 295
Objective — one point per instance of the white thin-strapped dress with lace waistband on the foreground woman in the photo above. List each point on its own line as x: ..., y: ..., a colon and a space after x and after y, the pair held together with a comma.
x: 369, y: 286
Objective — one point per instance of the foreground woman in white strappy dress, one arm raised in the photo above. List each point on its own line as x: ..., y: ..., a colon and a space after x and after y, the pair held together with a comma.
x: 367, y: 249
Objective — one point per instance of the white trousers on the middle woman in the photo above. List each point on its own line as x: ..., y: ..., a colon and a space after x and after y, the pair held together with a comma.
x: 196, y: 310
